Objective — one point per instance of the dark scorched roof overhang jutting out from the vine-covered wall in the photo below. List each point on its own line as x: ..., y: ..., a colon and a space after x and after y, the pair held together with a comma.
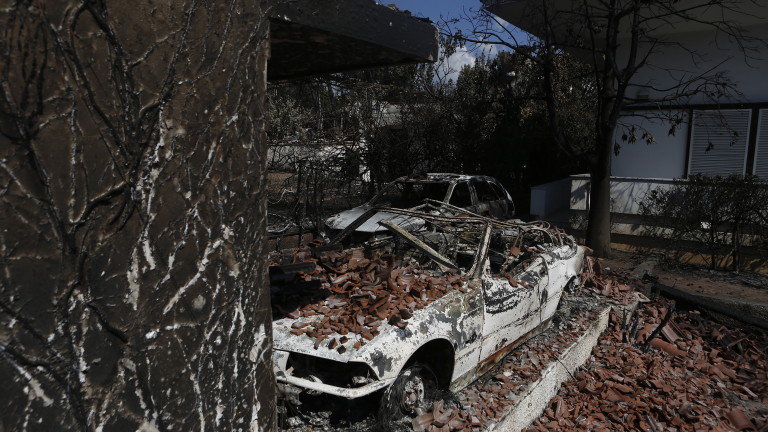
x: 311, y: 37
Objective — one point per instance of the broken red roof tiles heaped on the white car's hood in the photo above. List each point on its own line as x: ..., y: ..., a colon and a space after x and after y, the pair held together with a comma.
x: 353, y: 296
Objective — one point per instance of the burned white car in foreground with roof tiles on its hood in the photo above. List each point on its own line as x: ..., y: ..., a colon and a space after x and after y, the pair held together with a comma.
x: 411, y: 312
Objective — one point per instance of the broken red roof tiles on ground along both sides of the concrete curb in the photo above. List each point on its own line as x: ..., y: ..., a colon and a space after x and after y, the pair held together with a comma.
x: 692, y: 375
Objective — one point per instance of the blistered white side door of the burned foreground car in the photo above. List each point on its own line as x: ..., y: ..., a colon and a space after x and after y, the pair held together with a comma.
x: 512, y: 308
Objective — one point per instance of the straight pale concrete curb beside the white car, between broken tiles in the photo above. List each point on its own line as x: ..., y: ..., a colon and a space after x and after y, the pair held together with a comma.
x: 532, y: 403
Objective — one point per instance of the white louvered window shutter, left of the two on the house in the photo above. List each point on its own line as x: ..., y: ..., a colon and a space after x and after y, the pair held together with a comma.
x: 719, y: 142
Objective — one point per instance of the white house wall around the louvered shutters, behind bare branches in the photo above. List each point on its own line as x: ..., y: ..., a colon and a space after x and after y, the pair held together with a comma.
x: 668, y: 157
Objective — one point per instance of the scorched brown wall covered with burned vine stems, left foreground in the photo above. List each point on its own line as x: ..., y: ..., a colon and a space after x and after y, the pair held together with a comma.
x: 131, y: 174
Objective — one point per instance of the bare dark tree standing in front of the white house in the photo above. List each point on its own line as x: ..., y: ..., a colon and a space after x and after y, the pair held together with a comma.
x: 618, y: 39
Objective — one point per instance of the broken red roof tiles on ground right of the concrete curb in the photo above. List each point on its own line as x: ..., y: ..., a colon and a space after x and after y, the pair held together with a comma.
x: 664, y: 371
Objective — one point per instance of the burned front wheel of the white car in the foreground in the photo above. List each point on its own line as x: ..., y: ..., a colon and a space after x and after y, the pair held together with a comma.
x: 411, y: 394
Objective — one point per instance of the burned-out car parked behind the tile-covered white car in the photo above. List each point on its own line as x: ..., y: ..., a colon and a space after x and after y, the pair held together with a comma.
x: 477, y: 193
